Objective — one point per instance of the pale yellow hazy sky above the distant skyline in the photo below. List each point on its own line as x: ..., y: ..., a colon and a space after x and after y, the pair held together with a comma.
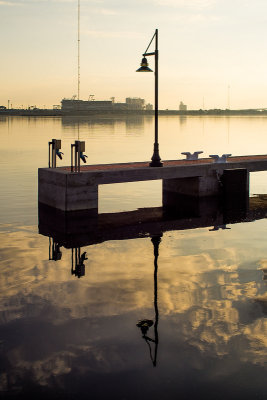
x: 212, y: 53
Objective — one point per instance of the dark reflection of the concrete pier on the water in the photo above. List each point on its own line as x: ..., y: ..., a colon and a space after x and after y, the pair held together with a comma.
x: 76, y: 229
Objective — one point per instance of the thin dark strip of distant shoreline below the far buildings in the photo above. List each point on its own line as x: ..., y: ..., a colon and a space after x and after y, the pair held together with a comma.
x: 60, y: 113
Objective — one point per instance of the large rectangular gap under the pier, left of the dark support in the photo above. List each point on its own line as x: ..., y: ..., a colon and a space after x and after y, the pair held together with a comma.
x: 129, y: 196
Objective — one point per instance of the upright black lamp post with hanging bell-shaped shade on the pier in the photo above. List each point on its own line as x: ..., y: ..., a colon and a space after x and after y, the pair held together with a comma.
x: 144, y: 68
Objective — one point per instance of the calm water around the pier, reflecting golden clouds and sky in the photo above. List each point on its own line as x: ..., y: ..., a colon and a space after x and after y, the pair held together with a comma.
x: 202, y: 287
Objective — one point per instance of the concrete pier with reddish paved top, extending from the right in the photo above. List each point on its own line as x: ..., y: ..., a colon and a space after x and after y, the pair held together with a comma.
x: 68, y: 191
